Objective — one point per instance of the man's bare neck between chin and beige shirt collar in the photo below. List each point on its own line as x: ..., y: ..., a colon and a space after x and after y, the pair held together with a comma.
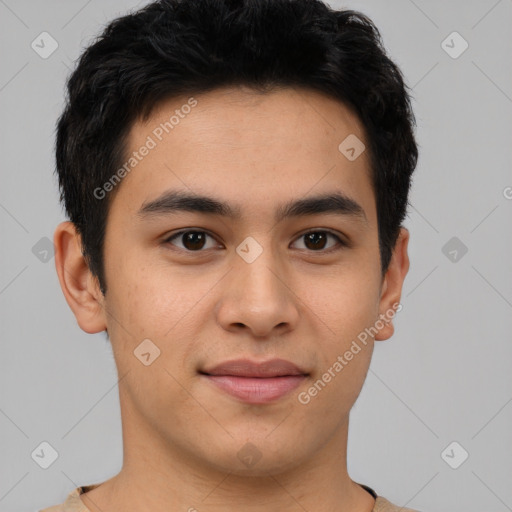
x: 157, y: 475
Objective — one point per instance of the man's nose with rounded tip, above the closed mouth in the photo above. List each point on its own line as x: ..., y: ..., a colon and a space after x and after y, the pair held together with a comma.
x: 257, y: 297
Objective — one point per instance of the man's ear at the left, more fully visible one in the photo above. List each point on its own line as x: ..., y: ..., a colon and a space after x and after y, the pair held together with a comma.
x: 80, y: 287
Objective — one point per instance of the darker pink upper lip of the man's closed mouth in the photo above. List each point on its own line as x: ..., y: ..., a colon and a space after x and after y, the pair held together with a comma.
x: 248, y: 368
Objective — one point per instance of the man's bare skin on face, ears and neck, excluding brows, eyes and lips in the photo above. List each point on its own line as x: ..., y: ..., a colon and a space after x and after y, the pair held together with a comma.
x: 181, y: 435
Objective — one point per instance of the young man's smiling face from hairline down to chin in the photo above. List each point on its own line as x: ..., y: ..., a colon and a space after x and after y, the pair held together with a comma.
x: 245, y: 274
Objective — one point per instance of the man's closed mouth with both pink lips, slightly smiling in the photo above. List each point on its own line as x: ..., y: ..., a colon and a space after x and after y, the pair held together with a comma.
x: 256, y: 383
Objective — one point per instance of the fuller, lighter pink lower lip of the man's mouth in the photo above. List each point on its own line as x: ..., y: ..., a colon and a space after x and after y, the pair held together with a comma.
x: 256, y: 390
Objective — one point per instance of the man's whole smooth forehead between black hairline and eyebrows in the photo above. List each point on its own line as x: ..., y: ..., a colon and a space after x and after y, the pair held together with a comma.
x: 257, y: 146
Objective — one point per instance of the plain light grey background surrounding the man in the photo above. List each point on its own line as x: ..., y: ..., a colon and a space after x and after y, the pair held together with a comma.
x: 445, y: 375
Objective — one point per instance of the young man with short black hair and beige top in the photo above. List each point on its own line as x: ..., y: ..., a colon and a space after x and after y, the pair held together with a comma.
x: 235, y: 173
